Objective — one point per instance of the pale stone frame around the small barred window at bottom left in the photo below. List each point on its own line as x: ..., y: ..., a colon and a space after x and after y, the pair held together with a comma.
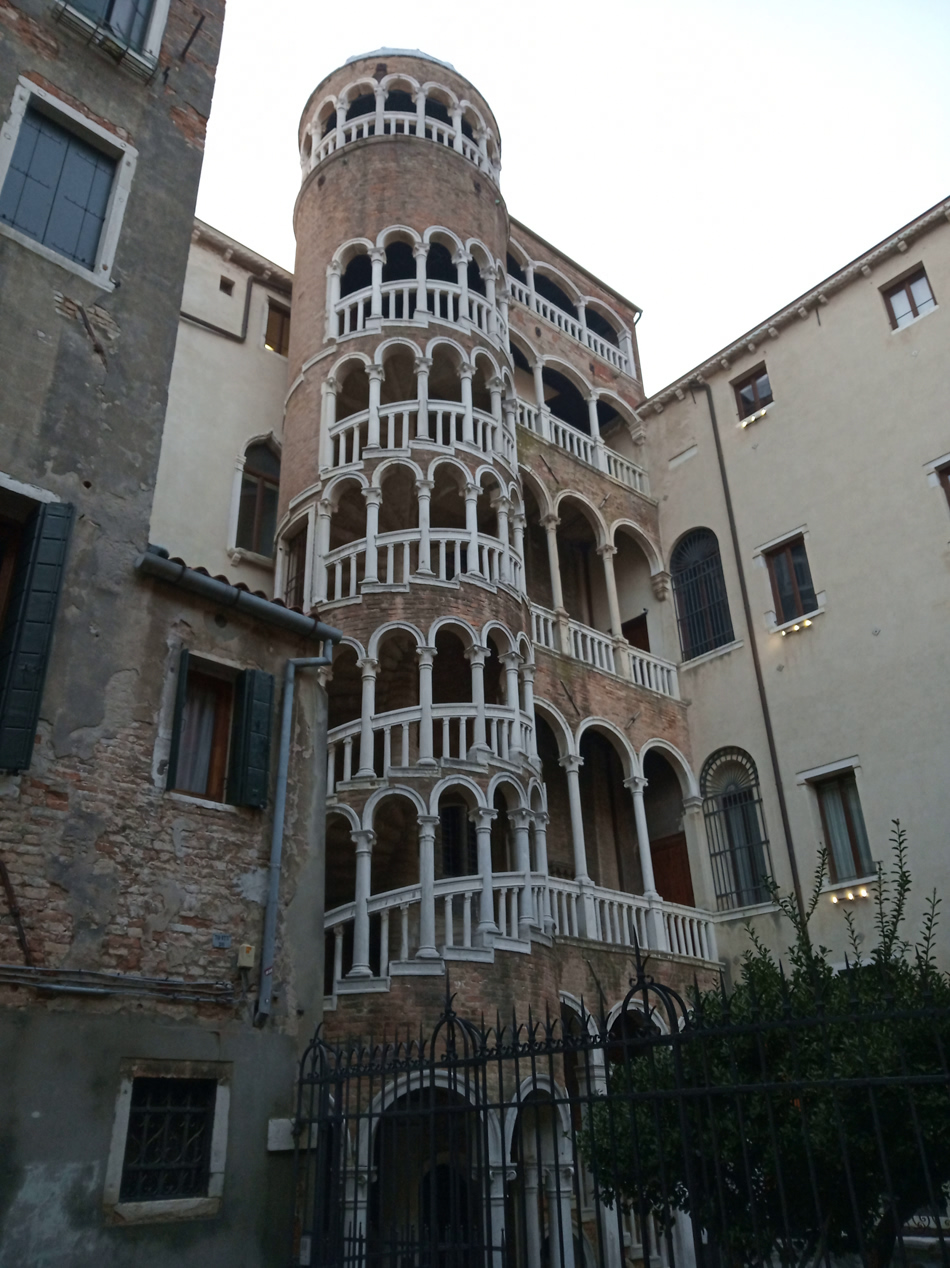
x: 169, y: 1209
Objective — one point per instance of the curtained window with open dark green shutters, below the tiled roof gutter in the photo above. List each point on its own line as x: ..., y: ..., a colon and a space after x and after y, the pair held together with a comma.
x: 221, y: 734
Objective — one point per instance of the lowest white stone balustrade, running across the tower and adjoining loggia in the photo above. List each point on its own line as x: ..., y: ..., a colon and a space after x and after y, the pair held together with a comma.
x: 568, y: 907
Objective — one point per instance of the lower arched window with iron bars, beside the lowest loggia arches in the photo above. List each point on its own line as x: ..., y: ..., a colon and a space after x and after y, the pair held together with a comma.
x: 739, y: 844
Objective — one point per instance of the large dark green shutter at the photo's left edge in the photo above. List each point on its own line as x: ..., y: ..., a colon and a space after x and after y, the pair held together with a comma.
x: 29, y: 631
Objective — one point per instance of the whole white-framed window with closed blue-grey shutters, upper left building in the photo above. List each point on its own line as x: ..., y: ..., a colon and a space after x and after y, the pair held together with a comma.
x: 64, y: 183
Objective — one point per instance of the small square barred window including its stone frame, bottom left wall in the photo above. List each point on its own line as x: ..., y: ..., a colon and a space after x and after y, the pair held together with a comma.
x: 169, y: 1142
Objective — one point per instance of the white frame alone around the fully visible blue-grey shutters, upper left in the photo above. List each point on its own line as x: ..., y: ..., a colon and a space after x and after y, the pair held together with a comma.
x: 126, y: 158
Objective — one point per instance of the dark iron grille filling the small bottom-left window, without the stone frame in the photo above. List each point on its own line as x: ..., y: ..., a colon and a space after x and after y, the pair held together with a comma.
x: 168, y: 1147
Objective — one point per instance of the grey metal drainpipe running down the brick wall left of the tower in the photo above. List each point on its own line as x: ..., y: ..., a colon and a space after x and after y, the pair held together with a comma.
x: 277, y: 840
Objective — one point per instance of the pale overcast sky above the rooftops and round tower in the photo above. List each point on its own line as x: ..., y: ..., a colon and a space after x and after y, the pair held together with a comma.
x: 708, y: 159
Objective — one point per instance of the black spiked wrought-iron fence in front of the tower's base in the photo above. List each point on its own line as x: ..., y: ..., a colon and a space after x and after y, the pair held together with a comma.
x: 653, y: 1134
